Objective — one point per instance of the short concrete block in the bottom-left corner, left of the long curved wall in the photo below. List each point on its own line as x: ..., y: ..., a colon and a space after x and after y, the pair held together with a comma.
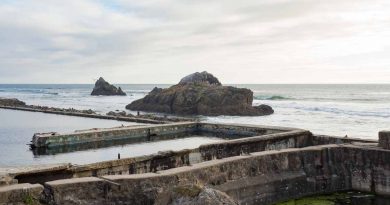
x: 20, y: 193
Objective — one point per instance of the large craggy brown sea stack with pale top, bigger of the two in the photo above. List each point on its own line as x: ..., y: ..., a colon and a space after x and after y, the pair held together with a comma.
x: 200, y: 94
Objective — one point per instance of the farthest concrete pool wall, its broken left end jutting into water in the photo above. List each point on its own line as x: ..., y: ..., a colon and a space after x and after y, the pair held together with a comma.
x: 96, y: 136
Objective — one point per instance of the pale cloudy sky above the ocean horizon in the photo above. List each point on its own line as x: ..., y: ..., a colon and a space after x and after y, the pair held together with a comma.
x: 160, y: 41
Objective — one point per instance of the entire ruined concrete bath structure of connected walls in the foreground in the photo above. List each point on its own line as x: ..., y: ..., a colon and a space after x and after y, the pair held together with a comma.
x: 256, y: 165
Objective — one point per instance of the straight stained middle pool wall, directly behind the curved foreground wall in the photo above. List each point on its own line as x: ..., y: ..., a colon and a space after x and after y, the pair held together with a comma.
x: 173, y: 159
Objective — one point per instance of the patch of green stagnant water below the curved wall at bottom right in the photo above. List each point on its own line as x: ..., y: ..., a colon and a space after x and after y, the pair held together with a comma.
x: 346, y: 198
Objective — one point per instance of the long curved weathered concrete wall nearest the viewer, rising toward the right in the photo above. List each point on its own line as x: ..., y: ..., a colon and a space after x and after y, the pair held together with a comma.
x: 260, y: 178
